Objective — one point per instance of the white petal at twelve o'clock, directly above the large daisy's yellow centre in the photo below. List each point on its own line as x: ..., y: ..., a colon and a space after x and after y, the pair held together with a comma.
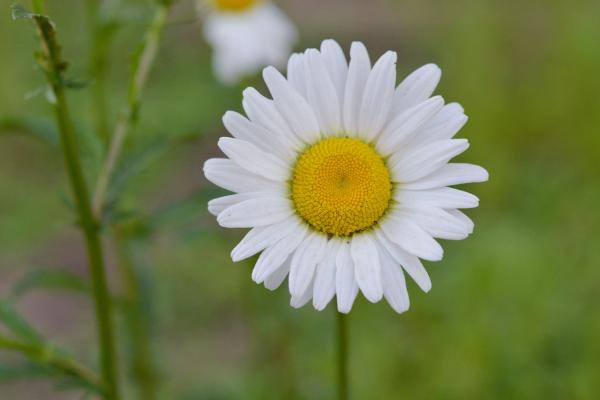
x: 358, y: 73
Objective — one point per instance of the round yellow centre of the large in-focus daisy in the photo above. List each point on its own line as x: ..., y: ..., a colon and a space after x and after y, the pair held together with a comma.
x: 341, y: 186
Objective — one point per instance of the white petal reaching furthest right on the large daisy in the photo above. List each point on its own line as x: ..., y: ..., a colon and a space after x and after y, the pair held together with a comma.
x: 449, y: 175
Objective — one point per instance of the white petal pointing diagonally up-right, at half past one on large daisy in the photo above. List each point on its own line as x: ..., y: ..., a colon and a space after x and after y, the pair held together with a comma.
x: 406, y: 125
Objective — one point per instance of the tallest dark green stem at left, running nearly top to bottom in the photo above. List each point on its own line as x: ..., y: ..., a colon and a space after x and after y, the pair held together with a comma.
x: 53, y: 66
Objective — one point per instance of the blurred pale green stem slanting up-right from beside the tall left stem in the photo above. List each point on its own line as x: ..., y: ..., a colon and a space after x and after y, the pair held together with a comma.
x: 128, y: 119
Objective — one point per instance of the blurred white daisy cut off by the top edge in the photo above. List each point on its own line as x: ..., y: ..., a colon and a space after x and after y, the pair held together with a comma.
x: 246, y: 35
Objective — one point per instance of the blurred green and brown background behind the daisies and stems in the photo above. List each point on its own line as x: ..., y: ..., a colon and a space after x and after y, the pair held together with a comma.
x: 515, y: 310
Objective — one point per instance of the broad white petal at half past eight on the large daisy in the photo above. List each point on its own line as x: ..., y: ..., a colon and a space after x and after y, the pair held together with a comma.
x: 256, y: 212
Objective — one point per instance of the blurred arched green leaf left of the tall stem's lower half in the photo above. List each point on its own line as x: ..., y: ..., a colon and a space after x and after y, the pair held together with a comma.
x: 49, y: 279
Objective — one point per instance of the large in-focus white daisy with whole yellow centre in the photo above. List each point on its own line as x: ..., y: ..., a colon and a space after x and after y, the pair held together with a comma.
x: 343, y: 177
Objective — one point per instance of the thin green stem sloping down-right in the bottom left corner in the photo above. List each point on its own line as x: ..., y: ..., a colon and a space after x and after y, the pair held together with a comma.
x: 46, y: 355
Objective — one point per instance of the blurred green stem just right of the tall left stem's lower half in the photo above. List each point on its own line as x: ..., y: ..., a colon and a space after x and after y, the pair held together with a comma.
x: 143, y: 365
